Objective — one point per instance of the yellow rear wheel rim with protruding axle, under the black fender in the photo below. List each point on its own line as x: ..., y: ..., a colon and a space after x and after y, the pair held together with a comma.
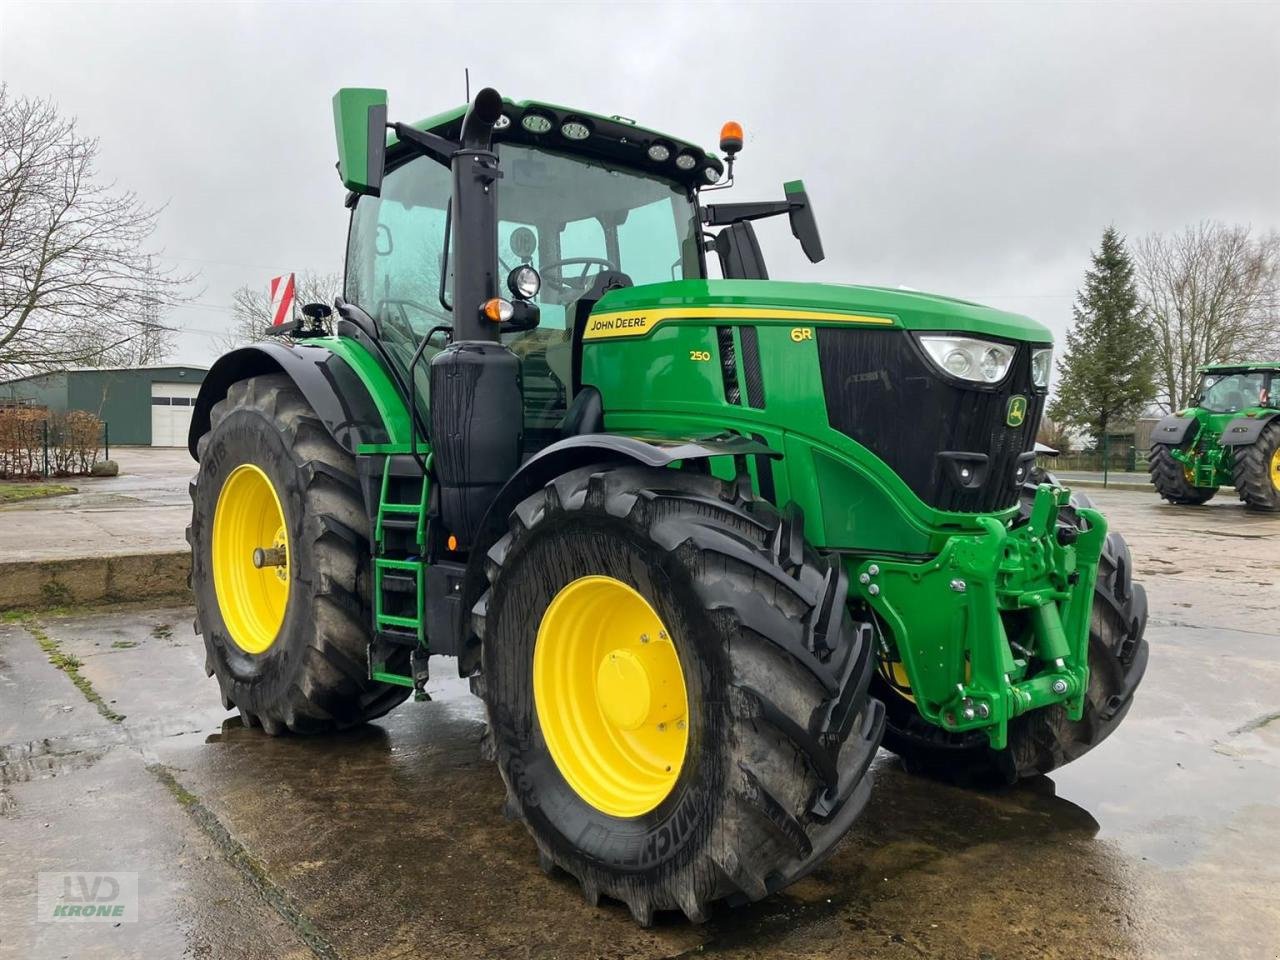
x: 252, y: 559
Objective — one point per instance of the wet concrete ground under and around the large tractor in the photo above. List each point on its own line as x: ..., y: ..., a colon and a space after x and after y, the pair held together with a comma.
x: 390, y: 842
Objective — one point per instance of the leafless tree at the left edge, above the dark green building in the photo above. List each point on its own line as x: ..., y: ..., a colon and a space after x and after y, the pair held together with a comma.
x: 77, y: 286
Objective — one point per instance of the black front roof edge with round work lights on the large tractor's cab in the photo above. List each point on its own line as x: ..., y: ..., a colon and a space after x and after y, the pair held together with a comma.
x: 615, y: 140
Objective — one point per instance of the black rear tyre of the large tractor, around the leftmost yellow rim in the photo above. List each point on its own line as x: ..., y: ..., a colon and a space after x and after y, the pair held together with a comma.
x: 313, y: 678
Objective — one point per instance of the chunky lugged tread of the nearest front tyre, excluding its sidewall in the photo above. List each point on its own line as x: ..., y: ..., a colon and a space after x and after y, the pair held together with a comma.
x: 742, y: 554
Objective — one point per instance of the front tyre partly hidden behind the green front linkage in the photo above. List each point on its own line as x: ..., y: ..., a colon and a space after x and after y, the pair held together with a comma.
x: 1046, y: 739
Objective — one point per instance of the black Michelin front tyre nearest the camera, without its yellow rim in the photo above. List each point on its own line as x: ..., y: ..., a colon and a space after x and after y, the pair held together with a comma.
x: 781, y: 730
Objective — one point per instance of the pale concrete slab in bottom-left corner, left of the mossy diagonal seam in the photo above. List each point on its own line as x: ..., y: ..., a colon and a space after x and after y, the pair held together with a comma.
x: 75, y: 796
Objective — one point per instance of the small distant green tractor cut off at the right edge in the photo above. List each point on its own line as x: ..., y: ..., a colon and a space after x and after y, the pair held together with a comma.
x: 1231, y: 435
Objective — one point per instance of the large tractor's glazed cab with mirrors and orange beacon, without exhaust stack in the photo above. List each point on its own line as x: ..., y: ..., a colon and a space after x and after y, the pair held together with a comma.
x: 584, y: 204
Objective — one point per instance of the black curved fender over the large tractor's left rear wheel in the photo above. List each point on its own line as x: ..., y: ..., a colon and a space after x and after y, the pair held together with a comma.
x: 331, y: 386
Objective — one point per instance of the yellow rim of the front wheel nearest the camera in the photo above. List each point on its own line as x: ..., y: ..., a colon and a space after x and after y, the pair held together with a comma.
x: 610, y: 696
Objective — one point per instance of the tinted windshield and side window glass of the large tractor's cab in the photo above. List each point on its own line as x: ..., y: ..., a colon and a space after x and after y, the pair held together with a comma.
x: 570, y: 218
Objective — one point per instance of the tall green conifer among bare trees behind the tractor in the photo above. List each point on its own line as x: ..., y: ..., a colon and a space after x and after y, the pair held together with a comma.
x: 1108, y: 371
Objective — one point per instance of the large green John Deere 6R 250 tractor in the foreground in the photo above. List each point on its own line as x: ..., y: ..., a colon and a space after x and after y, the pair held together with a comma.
x: 698, y: 543
